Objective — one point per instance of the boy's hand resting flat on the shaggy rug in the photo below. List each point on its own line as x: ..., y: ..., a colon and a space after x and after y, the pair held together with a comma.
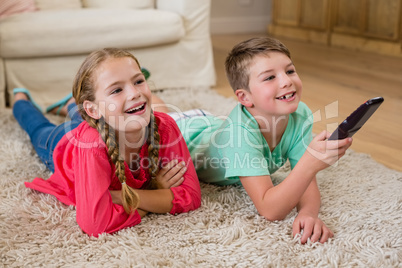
x: 312, y: 227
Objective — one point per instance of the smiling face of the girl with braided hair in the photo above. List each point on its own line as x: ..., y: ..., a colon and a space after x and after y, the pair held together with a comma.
x: 122, y: 95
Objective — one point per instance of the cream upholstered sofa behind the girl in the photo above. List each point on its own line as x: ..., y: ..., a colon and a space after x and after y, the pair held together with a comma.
x: 43, y: 50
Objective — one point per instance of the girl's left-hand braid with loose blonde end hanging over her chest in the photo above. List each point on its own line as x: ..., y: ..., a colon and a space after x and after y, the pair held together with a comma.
x: 130, y: 197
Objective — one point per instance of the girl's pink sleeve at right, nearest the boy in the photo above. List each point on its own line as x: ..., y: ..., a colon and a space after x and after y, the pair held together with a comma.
x: 187, y: 196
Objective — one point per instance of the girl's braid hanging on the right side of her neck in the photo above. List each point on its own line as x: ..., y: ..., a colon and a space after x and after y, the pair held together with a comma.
x: 153, y: 140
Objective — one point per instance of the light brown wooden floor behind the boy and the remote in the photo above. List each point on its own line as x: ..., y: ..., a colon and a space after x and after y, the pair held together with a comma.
x: 335, y: 82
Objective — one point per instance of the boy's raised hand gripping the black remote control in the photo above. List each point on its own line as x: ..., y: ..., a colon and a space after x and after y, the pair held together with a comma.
x: 327, y: 152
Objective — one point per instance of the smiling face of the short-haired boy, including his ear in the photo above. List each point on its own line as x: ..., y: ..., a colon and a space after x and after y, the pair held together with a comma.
x: 275, y: 87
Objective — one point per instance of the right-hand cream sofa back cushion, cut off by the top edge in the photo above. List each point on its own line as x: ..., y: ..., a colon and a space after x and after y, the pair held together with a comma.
x: 118, y: 3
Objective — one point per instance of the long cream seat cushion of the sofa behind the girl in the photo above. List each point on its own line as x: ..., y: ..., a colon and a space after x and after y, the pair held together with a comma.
x: 72, y: 32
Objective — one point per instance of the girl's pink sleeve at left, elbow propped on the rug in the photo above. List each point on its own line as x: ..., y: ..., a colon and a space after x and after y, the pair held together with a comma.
x: 96, y: 213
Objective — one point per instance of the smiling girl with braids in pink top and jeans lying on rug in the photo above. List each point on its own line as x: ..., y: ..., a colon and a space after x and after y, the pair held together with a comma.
x: 124, y: 153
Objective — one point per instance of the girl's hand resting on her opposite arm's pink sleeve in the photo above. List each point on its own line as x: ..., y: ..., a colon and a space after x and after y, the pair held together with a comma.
x: 171, y: 175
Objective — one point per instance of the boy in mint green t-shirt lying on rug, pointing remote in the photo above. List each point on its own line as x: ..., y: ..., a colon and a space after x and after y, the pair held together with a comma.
x: 269, y: 126
